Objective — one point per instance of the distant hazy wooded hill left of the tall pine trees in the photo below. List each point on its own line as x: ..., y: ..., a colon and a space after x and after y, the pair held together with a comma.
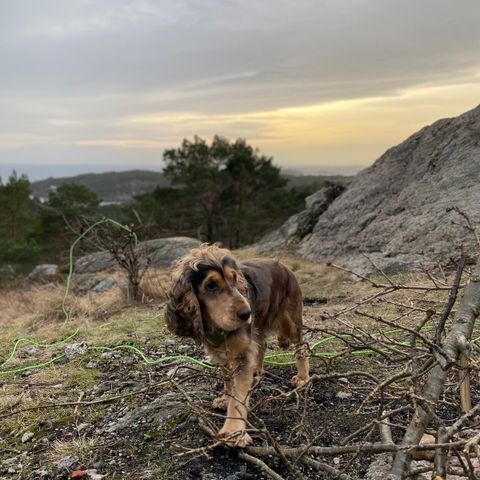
x: 109, y: 186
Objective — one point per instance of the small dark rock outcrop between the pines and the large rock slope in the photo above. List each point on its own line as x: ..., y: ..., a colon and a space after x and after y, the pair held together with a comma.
x: 301, y: 224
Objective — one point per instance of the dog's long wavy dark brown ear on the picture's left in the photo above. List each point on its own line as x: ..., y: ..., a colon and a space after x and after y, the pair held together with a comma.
x: 182, y: 311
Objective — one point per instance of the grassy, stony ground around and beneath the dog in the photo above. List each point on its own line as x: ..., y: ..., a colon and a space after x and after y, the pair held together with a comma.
x: 103, y: 412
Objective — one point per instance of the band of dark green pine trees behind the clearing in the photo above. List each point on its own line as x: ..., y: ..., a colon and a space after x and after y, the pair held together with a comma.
x: 221, y: 191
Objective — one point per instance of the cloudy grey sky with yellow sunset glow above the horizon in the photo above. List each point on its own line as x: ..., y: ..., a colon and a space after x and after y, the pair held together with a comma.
x: 319, y: 85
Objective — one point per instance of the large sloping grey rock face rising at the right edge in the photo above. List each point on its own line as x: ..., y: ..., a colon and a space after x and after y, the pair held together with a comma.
x: 396, y: 211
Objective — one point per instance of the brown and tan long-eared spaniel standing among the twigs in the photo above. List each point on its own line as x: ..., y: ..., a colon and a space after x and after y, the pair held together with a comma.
x: 231, y: 308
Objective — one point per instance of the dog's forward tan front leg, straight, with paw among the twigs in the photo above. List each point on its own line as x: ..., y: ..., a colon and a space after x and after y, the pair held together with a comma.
x: 233, y: 430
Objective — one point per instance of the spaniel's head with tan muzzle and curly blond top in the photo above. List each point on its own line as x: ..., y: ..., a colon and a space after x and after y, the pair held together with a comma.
x: 208, y: 293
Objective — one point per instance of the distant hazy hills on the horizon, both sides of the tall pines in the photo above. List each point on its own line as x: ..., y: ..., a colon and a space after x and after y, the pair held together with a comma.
x: 122, y: 186
